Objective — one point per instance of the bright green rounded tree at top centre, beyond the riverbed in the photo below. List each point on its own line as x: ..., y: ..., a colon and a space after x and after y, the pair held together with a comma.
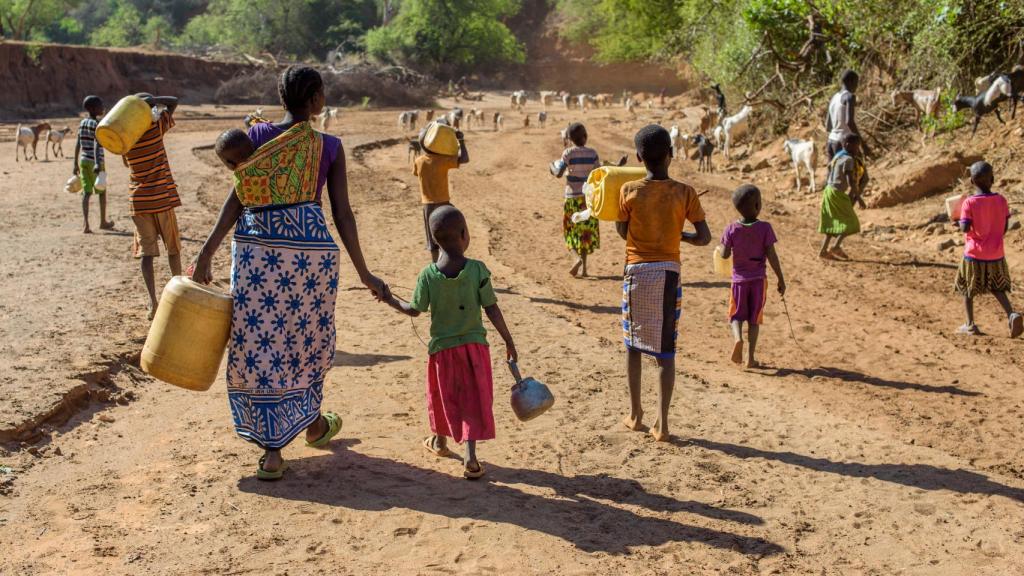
x: 449, y: 37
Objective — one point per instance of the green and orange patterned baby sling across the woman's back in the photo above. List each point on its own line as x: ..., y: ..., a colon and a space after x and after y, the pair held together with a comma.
x: 282, y: 172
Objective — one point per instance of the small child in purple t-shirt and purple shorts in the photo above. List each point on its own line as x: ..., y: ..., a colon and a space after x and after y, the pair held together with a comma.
x: 752, y: 244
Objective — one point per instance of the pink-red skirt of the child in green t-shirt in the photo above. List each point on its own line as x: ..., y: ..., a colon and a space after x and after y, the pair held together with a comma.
x: 460, y: 393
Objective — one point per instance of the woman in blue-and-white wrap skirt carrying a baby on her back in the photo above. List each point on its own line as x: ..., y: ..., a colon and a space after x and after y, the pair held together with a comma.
x: 285, y: 275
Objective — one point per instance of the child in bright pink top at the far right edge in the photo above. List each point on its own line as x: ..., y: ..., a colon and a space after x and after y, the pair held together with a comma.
x: 985, y: 220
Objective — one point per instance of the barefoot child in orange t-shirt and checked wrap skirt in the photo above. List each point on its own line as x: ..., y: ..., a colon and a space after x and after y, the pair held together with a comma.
x: 652, y: 216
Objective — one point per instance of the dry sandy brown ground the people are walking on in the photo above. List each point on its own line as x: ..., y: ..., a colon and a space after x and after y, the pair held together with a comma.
x: 882, y: 444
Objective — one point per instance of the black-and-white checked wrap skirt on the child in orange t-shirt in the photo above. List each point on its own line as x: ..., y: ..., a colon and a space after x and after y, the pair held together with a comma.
x: 652, y: 297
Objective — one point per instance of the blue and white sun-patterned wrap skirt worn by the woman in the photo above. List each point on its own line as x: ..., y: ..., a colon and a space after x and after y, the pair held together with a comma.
x: 284, y: 284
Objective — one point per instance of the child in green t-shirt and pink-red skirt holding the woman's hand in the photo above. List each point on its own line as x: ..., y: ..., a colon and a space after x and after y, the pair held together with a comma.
x: 460, y: 389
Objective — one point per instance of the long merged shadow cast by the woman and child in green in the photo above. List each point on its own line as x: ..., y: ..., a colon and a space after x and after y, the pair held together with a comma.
x: 352, y: 480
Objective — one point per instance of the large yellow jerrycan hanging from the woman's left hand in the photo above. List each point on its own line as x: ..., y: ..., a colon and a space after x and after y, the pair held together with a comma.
x: 189, y: 335
